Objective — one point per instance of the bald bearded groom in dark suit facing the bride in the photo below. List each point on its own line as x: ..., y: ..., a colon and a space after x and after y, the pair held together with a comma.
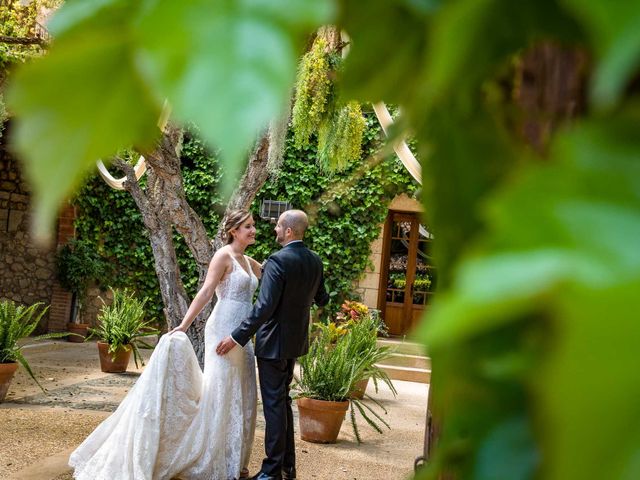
x: 291, y: 281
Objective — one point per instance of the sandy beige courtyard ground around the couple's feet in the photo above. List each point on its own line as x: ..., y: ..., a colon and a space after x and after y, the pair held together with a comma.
x: 39, y: 431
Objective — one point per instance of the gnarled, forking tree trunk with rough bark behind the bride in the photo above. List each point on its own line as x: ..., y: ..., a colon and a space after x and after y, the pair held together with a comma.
x: 164, y: 206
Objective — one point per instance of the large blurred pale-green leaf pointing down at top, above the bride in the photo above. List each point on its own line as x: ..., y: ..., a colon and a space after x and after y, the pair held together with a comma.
x: 226, y: 66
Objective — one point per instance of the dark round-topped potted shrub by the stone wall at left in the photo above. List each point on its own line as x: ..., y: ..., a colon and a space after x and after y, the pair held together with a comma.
x: 77, y: 266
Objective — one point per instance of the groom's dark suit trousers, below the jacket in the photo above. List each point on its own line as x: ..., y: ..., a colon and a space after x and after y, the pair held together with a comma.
x: 279, y: 442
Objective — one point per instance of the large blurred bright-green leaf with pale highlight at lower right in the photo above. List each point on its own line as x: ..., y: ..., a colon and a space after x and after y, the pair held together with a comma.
x: 558, y: 253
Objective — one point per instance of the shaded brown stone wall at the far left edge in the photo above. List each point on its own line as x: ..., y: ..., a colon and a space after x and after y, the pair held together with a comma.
x: 26, y: 270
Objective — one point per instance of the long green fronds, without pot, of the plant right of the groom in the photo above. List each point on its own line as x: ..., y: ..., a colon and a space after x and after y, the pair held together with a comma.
x: 333, y: 366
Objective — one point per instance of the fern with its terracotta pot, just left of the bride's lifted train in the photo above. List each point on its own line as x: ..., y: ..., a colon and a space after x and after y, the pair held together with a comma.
x: 121, y: 328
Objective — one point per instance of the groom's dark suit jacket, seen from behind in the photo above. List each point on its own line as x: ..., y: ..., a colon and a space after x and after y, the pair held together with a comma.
x: 292, y: 280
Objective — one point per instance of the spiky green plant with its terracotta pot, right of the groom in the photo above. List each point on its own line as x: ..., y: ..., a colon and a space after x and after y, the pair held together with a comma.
x: 328, y: 375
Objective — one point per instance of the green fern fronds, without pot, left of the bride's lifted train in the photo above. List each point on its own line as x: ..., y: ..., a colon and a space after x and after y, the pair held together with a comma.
x: 122, y: 324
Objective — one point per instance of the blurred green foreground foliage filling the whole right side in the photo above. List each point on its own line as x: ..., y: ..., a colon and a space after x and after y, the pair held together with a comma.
x: 533, y: 258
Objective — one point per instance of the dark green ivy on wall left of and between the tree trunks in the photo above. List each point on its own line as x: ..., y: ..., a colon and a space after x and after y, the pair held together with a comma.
x: 111, y: 223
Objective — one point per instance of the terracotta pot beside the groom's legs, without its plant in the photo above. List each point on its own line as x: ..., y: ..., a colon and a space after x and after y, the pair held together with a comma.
x: 320, y: 420
